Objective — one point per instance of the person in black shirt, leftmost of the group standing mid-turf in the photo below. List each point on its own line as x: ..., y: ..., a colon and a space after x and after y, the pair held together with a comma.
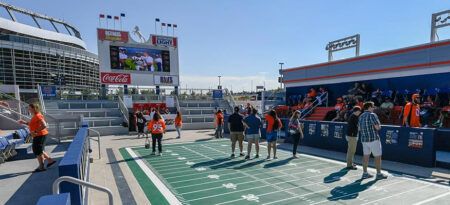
x: 236, y: 127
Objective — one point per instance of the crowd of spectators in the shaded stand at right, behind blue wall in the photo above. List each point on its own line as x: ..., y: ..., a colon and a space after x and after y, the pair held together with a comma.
x: 420, y: 108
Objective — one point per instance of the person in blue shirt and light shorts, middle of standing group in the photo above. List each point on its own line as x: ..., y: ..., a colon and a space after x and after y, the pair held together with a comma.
x: 253, y: 124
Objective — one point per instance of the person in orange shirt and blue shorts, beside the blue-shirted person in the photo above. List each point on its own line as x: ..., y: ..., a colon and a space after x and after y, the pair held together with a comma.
x: 273, y: 127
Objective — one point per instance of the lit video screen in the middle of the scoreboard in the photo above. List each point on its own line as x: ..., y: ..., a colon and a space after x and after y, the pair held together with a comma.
x: 139, y: 59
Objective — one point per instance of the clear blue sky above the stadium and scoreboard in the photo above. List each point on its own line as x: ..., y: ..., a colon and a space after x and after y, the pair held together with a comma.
x: 243, y: 40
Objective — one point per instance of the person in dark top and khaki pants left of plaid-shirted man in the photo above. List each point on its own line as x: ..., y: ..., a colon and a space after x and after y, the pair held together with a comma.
x: 352, y: 136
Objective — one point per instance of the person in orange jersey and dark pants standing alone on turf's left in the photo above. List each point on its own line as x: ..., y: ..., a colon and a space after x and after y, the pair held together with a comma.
x: 157, y: 127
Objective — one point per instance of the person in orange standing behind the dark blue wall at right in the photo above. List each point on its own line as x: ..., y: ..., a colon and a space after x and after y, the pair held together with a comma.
x: 411, y: 112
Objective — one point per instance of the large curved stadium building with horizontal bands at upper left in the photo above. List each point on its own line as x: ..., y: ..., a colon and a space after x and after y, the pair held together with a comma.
x: 37, y: 49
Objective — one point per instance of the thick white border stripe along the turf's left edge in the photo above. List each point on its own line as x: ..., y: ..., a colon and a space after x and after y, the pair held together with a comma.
x: 170, y: 197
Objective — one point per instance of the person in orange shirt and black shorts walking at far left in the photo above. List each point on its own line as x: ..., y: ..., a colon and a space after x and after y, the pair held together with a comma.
x: 39, y: 132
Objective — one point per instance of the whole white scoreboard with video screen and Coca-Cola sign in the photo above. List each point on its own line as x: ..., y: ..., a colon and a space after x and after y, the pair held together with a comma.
x: 124, y: 61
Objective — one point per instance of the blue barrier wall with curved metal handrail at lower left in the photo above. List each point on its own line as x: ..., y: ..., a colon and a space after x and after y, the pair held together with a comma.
x: 74, y: 173
